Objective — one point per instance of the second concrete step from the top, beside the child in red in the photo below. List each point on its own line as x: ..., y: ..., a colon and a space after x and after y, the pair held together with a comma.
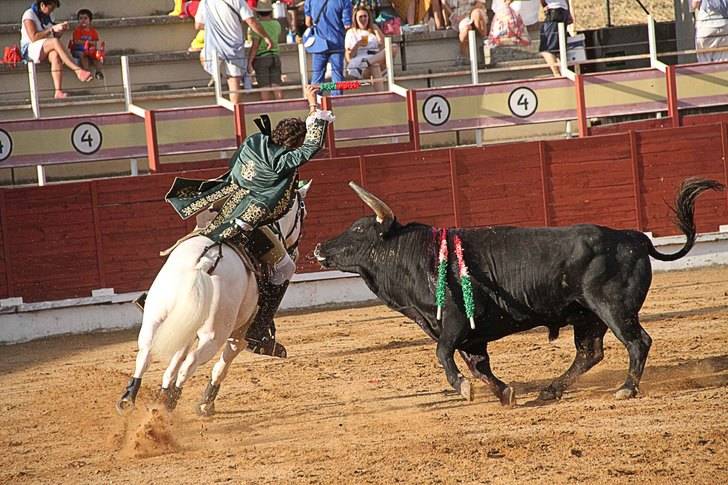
x: 129, y: 34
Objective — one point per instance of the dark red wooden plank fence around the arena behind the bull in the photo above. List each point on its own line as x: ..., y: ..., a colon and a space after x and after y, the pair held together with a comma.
x: 63, y: 240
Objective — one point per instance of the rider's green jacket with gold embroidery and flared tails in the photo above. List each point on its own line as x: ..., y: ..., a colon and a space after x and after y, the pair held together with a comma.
x: 258, y: 189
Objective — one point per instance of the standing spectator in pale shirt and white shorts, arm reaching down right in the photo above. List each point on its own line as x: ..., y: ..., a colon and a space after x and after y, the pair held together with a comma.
x: 222, y: 21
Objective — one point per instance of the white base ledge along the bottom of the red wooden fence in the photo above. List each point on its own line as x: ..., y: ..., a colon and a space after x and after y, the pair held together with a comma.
x: 21, y: 322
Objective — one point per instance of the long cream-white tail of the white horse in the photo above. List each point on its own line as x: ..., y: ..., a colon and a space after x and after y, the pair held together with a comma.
x: 191, y: 306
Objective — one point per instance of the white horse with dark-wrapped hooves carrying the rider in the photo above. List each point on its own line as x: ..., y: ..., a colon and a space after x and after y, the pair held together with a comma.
x: 211, y: 300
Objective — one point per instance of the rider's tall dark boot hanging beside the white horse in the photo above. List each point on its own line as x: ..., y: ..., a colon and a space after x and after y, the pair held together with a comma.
x: 261, y: 336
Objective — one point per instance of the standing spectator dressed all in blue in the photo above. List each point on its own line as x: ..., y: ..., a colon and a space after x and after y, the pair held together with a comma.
x: 333, y: 20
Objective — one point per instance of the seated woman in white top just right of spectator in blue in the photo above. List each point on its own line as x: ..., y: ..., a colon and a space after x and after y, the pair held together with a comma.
x: 363, y: 43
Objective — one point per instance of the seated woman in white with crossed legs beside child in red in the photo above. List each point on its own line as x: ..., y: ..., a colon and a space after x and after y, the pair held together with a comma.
x: 39, y: 40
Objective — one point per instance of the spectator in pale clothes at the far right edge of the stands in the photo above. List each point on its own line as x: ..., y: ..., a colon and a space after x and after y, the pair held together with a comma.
x: 711, y: 29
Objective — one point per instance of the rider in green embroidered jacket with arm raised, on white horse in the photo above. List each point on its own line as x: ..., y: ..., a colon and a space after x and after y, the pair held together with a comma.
x: 258, y: 189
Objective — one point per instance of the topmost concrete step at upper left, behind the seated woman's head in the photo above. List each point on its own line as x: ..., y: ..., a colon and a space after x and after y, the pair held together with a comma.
x: 11, y: 11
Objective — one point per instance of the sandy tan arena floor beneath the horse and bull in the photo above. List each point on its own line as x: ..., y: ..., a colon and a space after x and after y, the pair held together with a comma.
x: 361, y: 399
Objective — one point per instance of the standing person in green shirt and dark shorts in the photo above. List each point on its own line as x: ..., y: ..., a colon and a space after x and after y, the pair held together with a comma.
x: 266, y: 61
